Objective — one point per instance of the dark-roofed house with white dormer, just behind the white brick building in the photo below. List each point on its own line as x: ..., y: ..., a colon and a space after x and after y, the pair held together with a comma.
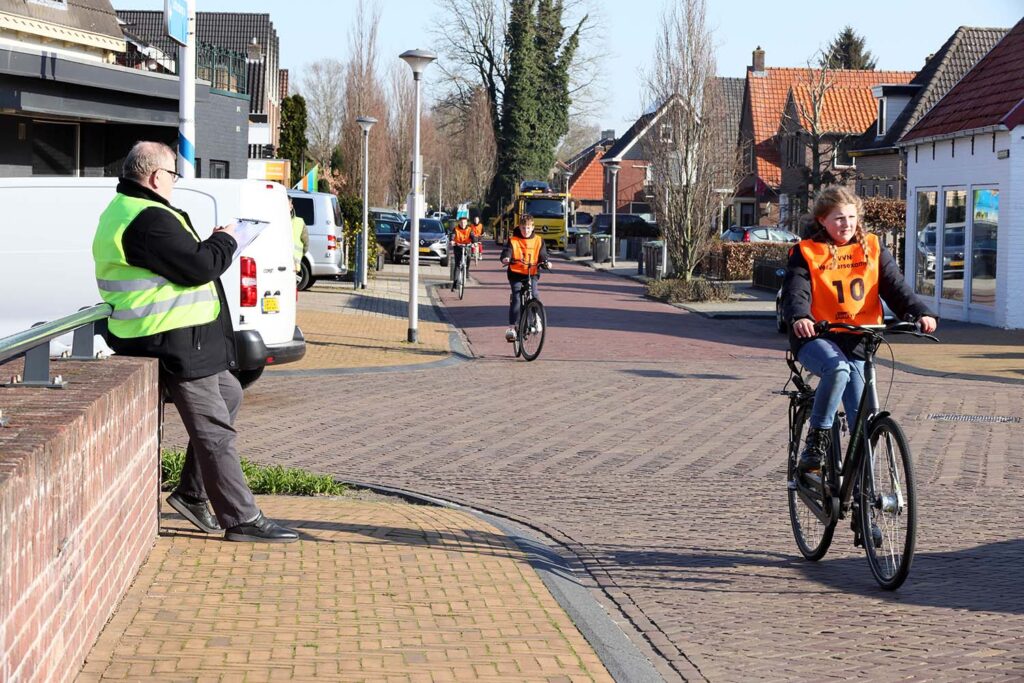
x: 881, y: 165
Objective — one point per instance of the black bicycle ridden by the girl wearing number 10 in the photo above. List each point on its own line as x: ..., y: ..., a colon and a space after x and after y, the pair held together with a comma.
x: 874, y: 484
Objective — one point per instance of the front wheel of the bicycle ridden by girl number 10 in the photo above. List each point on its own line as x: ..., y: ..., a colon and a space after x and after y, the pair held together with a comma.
x: 888, y: 505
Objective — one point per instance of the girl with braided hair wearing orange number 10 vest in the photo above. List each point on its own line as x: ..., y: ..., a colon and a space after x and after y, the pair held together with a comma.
x: 838, y: 275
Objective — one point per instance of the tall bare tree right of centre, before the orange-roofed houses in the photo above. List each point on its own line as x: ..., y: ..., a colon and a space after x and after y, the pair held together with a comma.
x: 692, y: 154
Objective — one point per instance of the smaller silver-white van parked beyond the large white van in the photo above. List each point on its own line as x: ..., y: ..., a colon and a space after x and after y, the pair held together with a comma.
x: 328, y: 254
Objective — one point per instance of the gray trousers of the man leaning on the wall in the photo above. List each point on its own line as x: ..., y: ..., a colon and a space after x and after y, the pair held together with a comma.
x: 212, y: 471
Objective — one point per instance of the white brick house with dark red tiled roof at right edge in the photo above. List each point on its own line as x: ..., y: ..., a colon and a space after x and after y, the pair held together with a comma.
x: 965, y: 208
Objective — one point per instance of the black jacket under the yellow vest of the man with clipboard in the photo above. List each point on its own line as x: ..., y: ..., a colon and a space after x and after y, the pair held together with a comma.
x: 155, y: 241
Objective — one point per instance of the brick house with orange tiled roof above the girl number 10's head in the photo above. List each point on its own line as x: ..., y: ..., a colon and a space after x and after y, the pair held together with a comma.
x: 846, y: 107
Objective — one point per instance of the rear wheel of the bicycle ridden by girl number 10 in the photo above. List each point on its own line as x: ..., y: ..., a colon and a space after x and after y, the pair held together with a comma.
x: 814, y: 536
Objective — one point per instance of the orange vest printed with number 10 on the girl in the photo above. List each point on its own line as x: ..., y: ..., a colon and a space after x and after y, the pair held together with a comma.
x: 844, y: 289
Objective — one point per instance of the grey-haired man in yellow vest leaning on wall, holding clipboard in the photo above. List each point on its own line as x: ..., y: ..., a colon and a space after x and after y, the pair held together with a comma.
x: 163, y: 284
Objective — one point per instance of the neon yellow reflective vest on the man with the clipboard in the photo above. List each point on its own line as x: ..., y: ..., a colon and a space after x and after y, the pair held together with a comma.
x: 144, y: 303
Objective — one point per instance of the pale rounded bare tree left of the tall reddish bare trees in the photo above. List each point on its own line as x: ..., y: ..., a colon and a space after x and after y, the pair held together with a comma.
x: 324, y: 88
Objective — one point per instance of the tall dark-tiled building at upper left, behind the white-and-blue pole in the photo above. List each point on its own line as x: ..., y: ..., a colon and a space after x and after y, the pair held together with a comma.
x: 250, y: 34
